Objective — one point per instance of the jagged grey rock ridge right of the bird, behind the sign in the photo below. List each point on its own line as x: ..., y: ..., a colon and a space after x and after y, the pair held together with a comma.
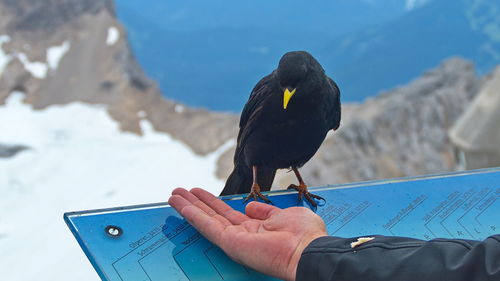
x: 399, y: 133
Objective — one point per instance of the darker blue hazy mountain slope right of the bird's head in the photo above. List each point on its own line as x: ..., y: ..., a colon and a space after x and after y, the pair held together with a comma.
x: 380, y: 58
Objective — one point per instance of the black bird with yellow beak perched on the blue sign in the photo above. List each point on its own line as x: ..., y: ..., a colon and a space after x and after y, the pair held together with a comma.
x: 283, y: 124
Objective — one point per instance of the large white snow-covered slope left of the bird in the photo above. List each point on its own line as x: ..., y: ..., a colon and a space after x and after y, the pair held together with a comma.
x: 79, y: 159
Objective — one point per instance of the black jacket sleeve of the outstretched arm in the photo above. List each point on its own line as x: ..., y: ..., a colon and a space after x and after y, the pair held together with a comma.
x: 402, y: 259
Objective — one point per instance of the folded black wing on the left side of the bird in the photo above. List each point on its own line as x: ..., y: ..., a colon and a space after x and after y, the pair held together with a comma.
x: 252, y: 111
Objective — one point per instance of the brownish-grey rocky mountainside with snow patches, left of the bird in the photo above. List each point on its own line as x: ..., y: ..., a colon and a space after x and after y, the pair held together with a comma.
x: 94, y: 72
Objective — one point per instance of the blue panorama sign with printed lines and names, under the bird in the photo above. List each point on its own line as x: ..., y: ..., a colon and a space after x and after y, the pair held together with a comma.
x: 152, y: 242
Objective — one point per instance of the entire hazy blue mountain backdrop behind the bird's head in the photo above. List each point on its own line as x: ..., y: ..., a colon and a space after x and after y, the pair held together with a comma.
x: 211, y: 55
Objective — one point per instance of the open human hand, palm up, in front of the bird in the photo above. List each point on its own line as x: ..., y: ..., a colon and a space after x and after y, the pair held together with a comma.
x: 266, y: 238
